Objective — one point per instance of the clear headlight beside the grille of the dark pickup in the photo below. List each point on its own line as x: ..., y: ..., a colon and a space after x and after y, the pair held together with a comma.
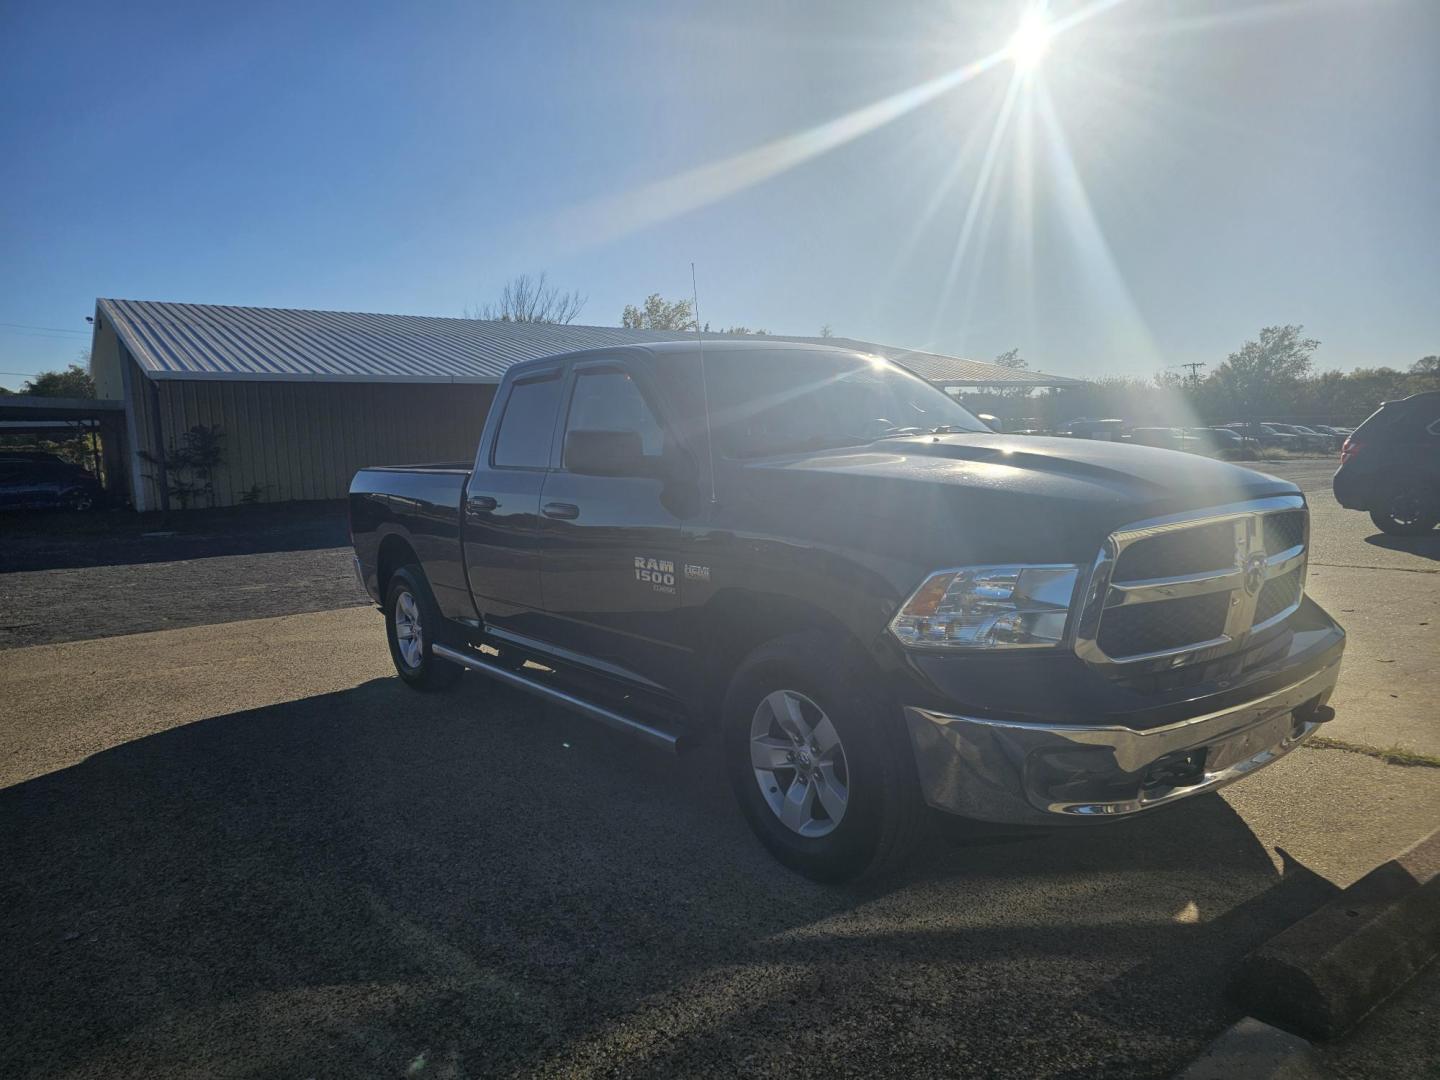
x: 989, y: 608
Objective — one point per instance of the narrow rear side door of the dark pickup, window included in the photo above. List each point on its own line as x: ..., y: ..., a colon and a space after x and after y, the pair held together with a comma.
x: 502, y: 503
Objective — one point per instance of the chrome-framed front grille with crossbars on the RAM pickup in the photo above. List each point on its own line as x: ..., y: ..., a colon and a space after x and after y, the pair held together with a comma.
x: 1194, y: 587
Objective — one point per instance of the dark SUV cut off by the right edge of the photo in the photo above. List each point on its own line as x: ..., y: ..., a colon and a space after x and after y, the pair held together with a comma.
x: 1392, y: 466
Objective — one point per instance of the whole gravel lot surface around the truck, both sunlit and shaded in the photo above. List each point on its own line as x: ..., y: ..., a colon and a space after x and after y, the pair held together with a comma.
x: 243, y: 849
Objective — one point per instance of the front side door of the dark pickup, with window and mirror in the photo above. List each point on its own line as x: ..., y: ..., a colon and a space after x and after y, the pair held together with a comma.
x: 611, y: 559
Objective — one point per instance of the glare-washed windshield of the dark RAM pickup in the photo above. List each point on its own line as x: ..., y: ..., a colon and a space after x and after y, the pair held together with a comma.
x: 781, y: 402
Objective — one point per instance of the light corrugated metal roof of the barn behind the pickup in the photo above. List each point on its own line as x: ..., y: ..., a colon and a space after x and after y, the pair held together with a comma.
x: 221, y: 342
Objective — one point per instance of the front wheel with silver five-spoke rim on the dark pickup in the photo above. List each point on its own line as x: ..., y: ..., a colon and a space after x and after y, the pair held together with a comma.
x: 820, y: 762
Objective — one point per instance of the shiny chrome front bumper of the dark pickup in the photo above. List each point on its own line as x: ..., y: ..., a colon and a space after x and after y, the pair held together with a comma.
x: 1042, y: 774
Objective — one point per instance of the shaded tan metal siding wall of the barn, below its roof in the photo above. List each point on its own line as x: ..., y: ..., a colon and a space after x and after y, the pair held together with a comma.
x: 302, y: 441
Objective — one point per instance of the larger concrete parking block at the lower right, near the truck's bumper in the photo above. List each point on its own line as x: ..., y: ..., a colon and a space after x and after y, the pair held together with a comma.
x: 1324, y: 974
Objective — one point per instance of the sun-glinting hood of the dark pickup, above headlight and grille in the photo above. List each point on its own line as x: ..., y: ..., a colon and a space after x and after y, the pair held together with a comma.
x: 1002, y: 496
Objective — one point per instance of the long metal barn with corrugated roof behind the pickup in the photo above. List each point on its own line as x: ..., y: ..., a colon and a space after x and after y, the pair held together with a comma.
x: 306, y: 398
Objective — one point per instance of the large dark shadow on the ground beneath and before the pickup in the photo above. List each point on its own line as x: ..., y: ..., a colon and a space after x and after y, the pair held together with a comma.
x: 374, y: 881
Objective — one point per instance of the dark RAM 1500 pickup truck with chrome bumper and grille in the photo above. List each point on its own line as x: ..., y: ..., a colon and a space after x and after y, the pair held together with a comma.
x: 876, y: 604
